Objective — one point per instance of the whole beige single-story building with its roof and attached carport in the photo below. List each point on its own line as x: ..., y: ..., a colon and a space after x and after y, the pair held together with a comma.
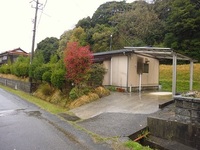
x: 137, y: 68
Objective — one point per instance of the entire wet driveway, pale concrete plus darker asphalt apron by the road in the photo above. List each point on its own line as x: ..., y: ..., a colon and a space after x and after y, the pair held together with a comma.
x: 120, y: 114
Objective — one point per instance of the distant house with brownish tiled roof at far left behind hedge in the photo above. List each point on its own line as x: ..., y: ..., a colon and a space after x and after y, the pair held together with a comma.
x: 11, y: 55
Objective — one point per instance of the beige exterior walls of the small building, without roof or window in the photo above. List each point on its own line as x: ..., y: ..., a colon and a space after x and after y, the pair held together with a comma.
x: 122, y: 71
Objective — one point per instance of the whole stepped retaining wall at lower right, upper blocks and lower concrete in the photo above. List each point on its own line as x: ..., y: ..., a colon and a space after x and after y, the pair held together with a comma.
x: 179, y: 122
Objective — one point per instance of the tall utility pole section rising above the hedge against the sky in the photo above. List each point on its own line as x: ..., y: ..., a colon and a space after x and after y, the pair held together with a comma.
x: 34, y: 31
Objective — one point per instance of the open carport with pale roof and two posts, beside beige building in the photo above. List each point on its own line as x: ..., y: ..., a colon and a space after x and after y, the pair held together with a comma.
x: 166, y: 53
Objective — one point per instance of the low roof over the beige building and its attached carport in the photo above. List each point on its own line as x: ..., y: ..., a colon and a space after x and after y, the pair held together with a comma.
x: 155, y: 52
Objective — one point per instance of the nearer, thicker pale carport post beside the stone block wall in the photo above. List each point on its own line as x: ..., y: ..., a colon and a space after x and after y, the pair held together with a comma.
x: 174, y: 74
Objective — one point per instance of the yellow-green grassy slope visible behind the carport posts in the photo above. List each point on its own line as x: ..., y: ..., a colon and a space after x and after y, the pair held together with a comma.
x: 183, y: 77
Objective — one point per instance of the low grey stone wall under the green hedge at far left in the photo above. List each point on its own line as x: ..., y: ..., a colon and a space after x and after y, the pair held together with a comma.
x: 16, y: 84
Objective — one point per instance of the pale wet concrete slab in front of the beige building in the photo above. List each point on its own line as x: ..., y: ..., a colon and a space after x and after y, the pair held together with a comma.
x: 134, y: 103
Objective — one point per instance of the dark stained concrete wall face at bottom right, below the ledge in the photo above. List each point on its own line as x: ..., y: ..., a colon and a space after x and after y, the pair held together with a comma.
x: 173, y: 130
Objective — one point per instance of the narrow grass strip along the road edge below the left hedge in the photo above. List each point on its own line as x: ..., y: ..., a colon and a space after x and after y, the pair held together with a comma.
x: 40, y: 103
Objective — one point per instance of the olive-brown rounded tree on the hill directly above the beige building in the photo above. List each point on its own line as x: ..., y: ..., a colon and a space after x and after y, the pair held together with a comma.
x: 140, y: 25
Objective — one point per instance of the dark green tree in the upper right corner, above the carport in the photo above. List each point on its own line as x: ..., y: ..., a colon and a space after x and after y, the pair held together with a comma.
x: 183, y: 26
